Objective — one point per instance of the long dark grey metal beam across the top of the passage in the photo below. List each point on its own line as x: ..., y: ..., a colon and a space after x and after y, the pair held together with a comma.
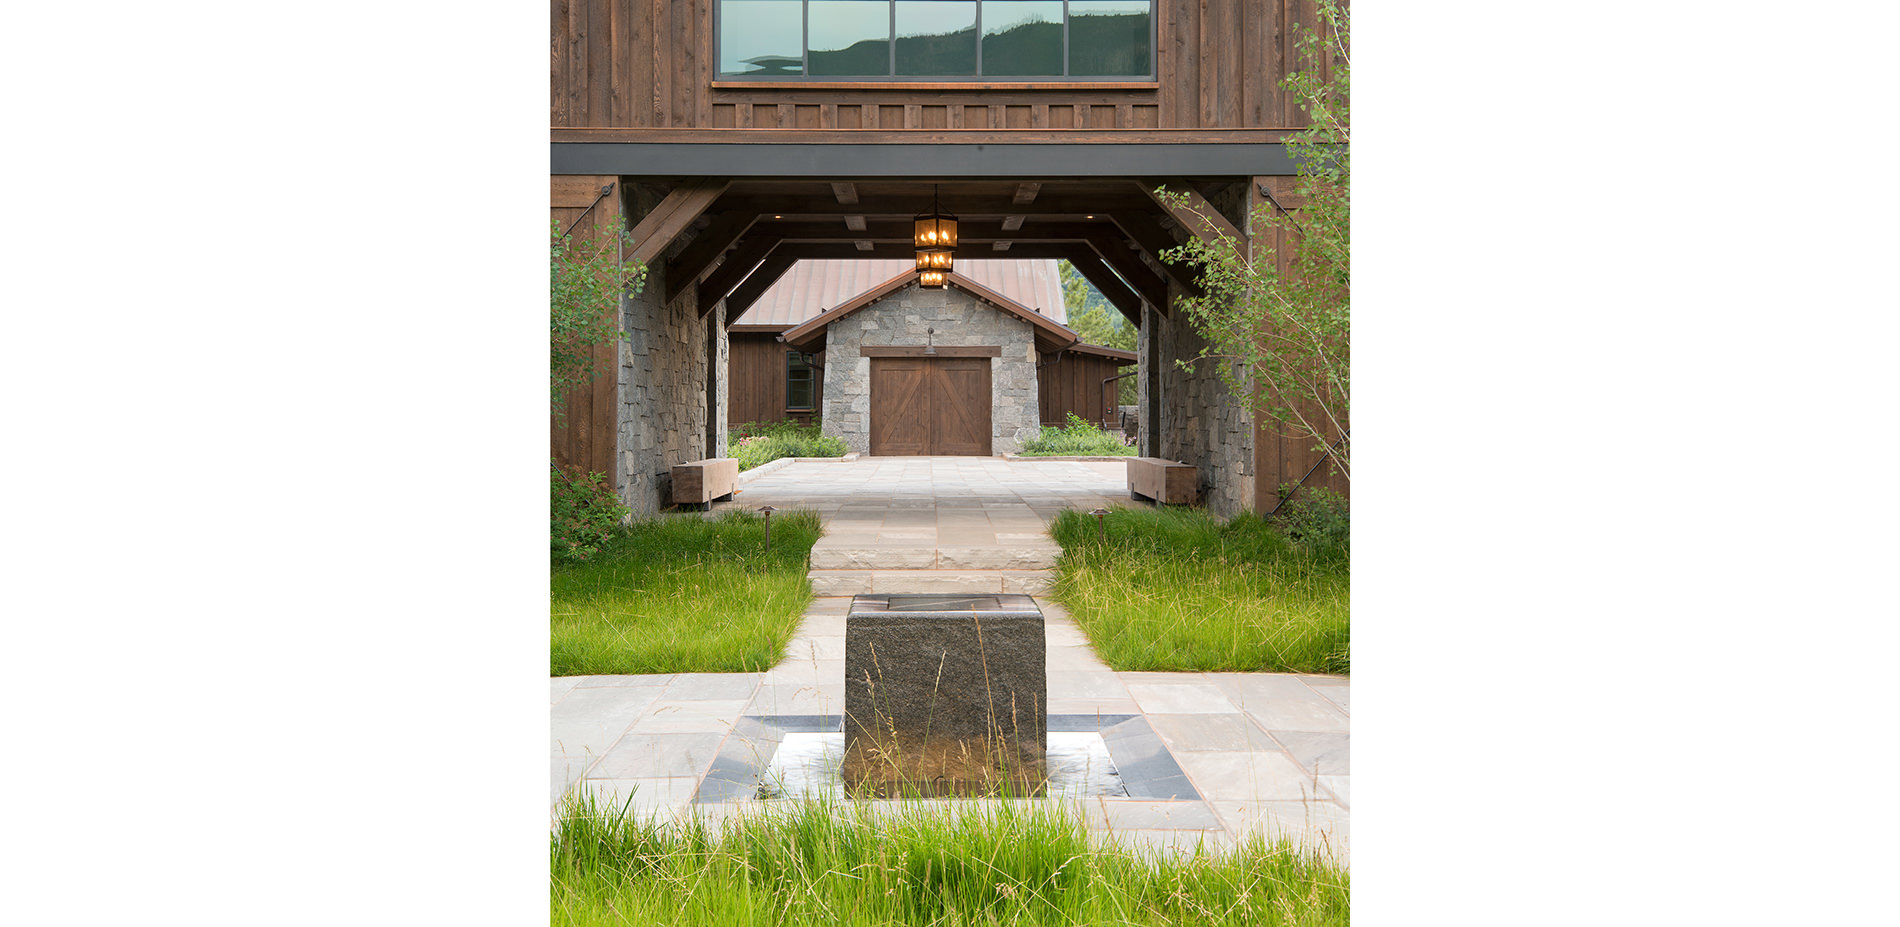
x: 1019, y: 162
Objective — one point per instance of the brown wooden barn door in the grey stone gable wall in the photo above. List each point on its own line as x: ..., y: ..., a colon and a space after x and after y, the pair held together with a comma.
x: 930, y: 406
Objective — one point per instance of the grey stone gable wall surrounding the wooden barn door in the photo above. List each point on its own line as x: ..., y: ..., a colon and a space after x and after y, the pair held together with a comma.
x: 959, y: 318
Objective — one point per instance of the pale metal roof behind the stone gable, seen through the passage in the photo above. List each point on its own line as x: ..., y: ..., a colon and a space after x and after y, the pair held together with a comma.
x: 816, y: 286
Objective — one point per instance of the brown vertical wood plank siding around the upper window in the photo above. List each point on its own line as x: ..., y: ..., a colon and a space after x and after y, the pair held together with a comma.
x: 651, y: 64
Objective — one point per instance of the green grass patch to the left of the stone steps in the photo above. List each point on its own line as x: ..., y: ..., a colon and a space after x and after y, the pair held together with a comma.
x: 685, y: 596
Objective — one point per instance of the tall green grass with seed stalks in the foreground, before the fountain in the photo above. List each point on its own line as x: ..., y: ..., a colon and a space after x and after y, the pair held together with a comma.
x: 926, y: 865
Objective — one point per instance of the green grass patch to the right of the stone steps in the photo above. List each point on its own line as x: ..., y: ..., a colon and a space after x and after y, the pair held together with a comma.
x: 1175, y: 590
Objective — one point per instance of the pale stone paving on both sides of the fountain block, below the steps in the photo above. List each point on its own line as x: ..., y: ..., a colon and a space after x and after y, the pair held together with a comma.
x: 1264, y: 751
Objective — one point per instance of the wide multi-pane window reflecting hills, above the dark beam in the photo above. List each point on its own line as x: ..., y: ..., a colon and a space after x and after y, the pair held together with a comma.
x: 936, y: 39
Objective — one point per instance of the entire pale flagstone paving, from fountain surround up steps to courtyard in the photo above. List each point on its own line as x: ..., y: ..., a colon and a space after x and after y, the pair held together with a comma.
x: 1261, y: 753
